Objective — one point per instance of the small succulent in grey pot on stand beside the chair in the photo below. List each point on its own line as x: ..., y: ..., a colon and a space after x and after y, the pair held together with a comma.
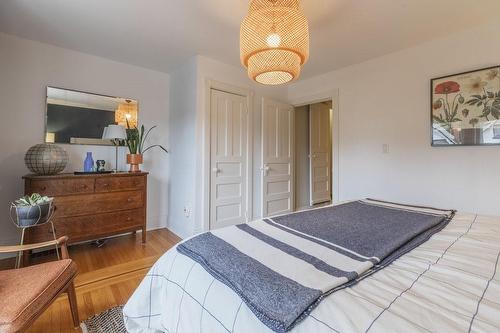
x: 32, y: 209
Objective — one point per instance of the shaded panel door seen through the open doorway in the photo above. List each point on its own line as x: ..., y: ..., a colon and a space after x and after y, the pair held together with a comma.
x: 320, y: 153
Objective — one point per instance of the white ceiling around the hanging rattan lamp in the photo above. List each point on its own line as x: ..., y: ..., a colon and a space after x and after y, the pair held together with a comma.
x: 161, y: 34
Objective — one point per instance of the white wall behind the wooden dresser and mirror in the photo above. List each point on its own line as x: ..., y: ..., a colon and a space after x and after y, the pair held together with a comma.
x: 26, y: 68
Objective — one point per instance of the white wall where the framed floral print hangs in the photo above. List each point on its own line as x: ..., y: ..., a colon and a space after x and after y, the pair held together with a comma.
x: 386, y: 101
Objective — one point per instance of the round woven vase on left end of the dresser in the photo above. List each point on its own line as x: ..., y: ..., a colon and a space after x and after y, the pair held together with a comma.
x: 46, y: 159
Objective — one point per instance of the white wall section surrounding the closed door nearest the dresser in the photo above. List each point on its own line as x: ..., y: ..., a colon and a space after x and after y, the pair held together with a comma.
x: 186, y: 188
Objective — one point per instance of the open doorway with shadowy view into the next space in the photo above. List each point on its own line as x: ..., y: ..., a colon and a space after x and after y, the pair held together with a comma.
x: 313, y: 155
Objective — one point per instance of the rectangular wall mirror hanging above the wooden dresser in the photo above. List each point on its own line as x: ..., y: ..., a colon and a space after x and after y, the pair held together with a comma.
x: 77, y: 117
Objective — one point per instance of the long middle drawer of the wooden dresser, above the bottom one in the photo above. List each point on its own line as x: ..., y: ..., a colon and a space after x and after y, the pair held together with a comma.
x: 98, y: 203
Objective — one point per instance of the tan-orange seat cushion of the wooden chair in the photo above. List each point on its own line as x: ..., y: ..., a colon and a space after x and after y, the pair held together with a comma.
x: 24, y: 292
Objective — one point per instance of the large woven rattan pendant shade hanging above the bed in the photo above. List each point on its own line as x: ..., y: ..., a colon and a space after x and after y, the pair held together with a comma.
x: 274, y: 41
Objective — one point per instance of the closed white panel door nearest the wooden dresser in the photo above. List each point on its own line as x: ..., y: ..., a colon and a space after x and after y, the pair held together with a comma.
x: 228, y: 159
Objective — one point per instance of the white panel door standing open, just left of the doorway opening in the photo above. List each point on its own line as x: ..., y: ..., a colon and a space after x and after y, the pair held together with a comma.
x: 277, y: 157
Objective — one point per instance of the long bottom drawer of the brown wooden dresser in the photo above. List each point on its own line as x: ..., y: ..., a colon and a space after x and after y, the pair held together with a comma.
x: 81, y: 228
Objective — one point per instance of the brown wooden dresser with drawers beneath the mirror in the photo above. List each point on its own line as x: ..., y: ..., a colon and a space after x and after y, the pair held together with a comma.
x: 90, y: 207
